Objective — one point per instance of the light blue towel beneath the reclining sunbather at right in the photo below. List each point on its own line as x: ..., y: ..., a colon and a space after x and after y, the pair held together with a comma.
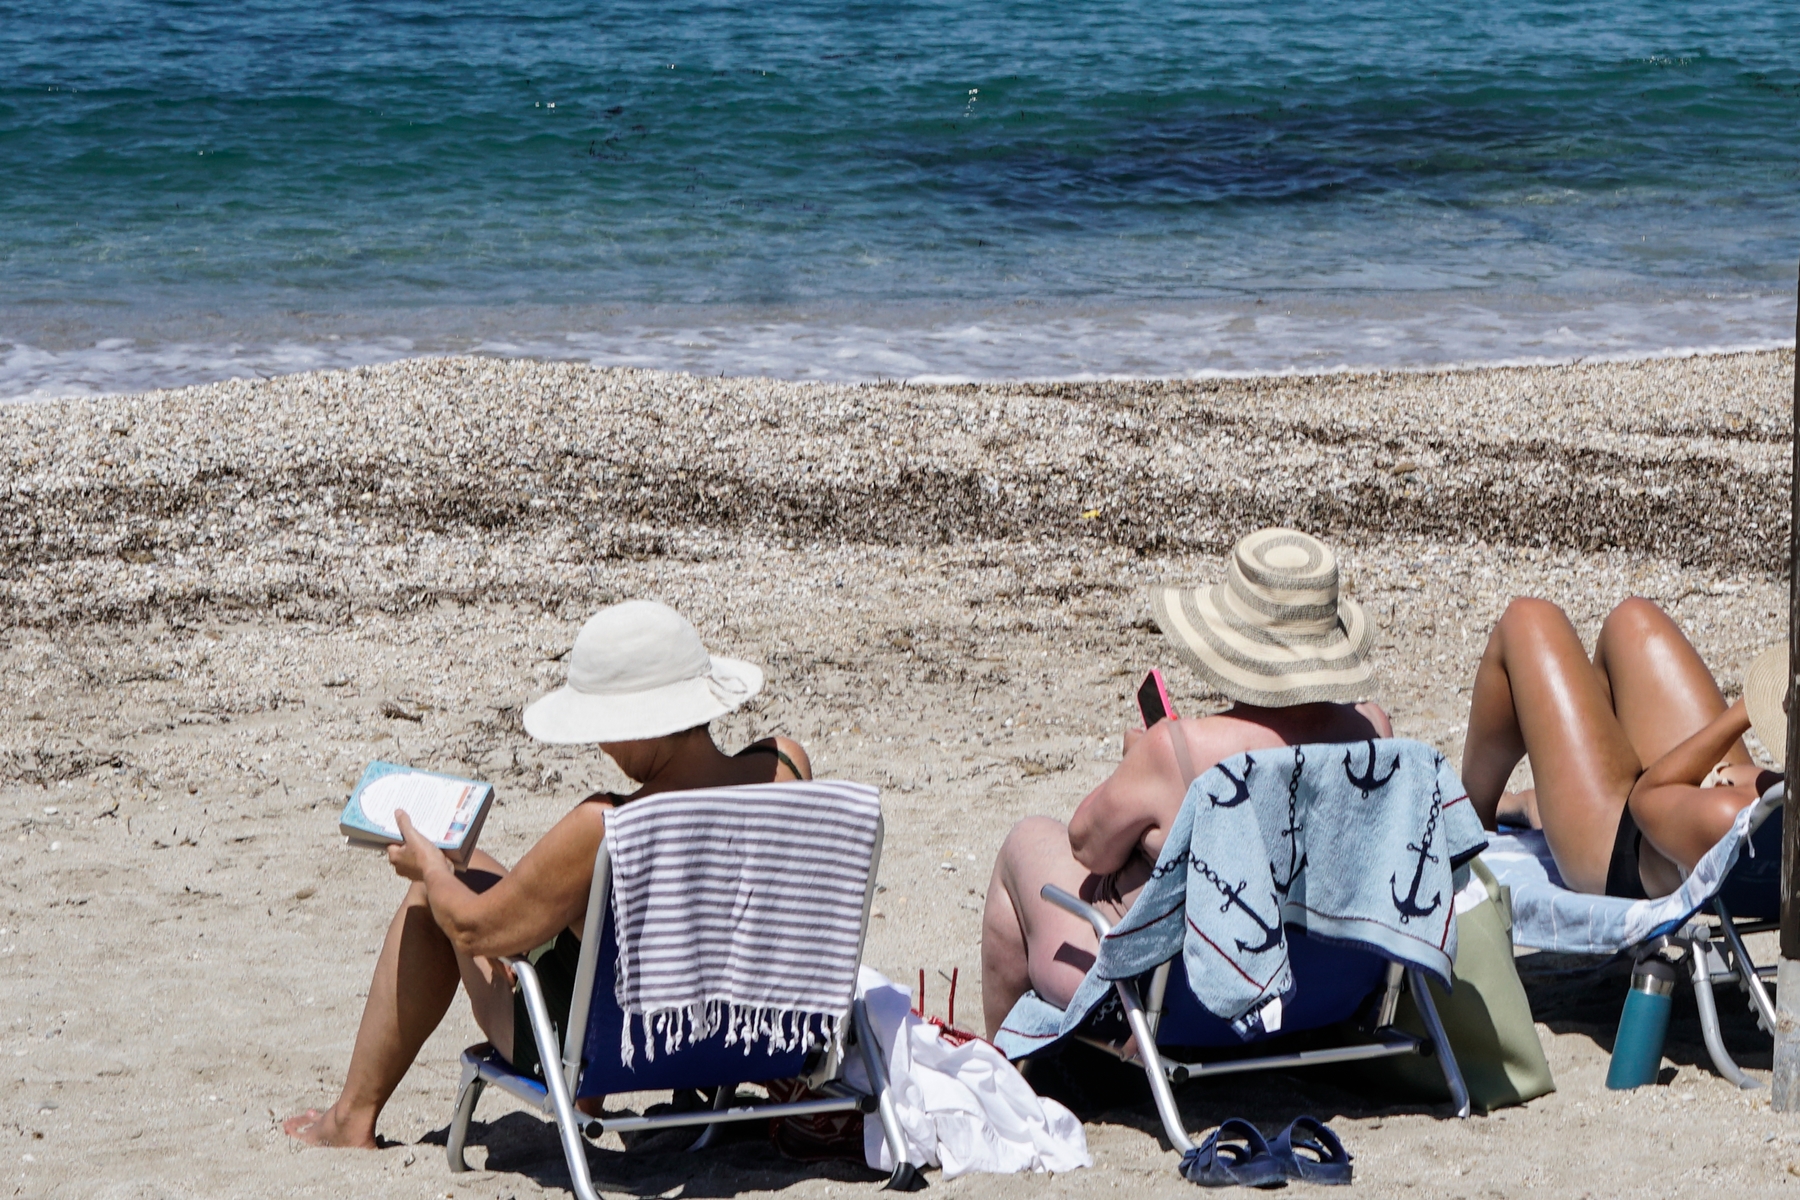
x: 1551, y: 917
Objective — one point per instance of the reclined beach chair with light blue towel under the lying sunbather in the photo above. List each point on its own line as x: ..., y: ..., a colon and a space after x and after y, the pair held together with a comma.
x: 1732, y: 893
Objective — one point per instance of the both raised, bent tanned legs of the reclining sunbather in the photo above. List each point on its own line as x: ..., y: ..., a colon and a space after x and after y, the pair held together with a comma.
x: 1588, y: 726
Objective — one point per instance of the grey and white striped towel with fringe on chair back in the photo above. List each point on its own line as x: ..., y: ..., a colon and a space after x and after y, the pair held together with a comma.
x: 741, y: 909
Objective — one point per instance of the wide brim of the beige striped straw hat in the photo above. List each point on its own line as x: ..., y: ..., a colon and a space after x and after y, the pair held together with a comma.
x: 1261, y: 667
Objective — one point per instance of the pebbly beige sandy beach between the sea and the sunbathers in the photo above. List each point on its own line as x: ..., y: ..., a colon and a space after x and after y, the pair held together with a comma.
x: 222, y: 602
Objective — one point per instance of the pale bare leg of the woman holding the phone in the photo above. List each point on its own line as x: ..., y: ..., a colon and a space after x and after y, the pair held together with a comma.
x: 1027, y: 942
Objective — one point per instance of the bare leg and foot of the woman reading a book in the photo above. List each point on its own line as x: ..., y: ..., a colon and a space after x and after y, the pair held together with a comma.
x: 415, y: 981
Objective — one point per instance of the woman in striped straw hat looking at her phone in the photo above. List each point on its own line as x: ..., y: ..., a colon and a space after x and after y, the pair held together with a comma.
x: 1291, y: 656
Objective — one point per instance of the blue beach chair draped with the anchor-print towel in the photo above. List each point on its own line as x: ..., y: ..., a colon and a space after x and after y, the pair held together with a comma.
x: 1342, y: 980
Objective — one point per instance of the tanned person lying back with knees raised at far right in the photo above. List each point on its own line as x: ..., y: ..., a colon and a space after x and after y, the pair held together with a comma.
x: 1639, y: 762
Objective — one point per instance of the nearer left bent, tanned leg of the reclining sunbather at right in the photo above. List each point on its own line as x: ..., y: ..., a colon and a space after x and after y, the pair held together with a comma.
x: 1538, y: 694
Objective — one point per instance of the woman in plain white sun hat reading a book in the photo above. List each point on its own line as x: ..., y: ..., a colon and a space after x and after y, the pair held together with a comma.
x: 645, y: 690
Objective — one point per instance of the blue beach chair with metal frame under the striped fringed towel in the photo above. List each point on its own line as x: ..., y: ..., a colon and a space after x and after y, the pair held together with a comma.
x: 591, y: 1064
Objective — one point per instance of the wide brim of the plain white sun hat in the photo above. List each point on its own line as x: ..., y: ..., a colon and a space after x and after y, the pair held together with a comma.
x: 571, y: 717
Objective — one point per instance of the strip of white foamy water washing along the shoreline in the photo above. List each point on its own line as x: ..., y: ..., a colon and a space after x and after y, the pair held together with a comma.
x: 1304, y: 336
